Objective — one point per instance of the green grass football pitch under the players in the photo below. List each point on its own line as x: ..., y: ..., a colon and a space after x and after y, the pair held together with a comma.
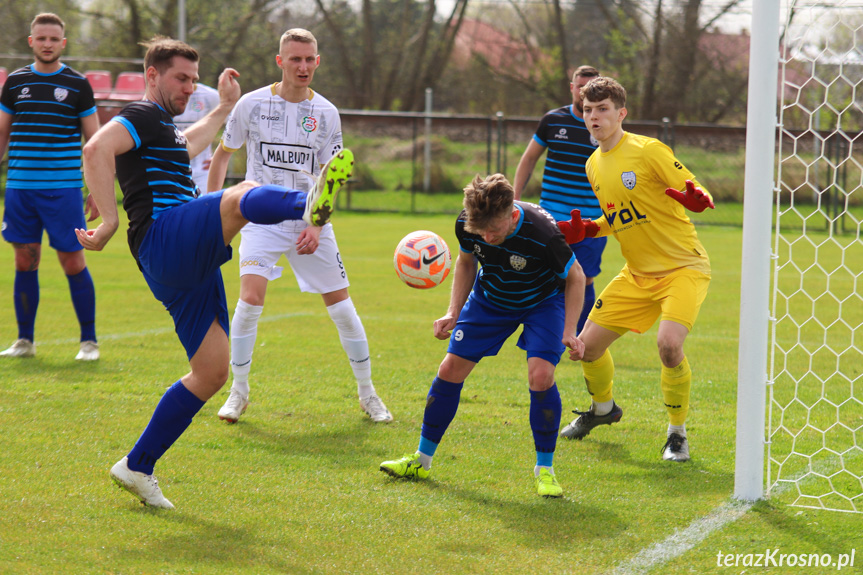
x: 294, y: 487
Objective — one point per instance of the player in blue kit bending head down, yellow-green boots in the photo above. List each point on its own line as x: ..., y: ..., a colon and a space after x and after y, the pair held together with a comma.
x: 529, y: 277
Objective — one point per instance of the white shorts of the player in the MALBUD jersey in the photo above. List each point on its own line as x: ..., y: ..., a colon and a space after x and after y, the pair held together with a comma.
x: 261, y: 246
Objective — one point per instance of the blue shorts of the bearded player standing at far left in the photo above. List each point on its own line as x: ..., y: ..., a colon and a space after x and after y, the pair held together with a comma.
x: 28, y: 212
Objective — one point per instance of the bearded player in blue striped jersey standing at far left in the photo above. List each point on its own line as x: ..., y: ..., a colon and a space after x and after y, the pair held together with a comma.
x: 45, y: 107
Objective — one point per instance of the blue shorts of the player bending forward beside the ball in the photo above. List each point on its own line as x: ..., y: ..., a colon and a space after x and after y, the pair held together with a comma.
x: 483, y: 327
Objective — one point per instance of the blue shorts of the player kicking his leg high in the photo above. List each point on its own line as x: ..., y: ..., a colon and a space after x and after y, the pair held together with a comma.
x: 180, y: 258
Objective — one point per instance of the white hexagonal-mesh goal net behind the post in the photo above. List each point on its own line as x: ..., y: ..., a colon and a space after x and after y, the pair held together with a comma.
x: 815, y: 366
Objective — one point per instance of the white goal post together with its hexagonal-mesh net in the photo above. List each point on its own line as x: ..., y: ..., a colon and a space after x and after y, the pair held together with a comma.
x: 800, y: 371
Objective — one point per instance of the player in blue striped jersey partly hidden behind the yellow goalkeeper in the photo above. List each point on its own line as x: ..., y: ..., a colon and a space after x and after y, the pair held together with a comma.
x: 564, y: 182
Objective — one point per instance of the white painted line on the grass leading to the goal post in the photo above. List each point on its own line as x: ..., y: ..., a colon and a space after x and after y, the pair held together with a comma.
x: 682, y: 541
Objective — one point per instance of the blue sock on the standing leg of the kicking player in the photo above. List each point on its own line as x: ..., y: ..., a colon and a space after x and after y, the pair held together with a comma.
x: 172, y: 416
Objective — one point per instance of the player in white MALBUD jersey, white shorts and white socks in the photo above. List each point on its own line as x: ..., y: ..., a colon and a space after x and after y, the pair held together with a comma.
x: 289, y: 132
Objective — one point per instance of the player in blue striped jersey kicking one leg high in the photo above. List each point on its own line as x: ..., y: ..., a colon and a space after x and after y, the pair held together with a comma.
x: 180, y: 240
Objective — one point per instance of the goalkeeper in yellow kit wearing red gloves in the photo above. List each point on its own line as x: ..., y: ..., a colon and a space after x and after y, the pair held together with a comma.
x: 637, y: 181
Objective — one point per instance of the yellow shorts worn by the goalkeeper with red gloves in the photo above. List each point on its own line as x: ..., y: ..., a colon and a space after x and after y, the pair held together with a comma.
x: 631, y: 302
